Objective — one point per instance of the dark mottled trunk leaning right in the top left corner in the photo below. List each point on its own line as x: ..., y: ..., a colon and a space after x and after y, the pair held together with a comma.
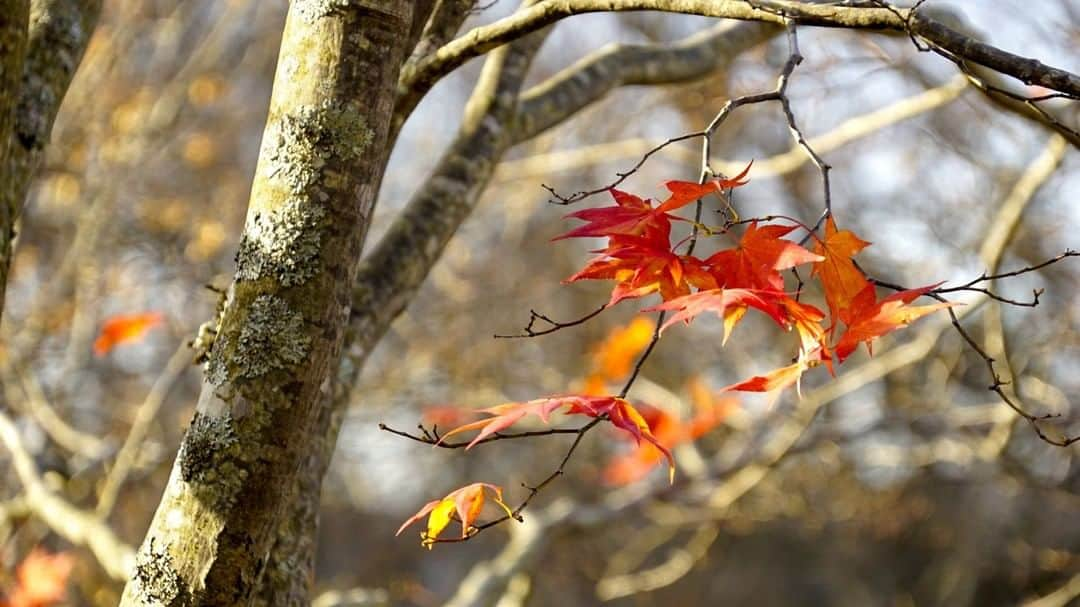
x: 57, y: 38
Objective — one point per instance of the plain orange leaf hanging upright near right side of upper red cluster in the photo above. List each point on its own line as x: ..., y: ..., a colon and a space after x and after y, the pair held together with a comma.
x: 841, y: 279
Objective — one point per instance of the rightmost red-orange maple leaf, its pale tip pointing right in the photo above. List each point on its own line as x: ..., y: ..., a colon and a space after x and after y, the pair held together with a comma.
x: 870, y: 320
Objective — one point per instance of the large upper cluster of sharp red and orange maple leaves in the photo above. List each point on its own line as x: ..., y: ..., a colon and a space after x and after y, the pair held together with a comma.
x: 642, y: 260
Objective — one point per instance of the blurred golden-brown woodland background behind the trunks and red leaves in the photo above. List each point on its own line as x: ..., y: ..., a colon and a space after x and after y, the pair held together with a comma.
x: 904, y: 482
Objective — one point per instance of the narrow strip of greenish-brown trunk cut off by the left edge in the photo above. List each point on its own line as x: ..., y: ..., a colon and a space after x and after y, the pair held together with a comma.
x: 15, y: 17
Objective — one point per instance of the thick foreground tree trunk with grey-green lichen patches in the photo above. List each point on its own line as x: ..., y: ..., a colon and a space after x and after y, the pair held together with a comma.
x: 286, y: 315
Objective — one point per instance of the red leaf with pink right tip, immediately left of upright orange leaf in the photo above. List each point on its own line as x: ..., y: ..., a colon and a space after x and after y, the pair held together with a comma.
x: 759, y: 260
